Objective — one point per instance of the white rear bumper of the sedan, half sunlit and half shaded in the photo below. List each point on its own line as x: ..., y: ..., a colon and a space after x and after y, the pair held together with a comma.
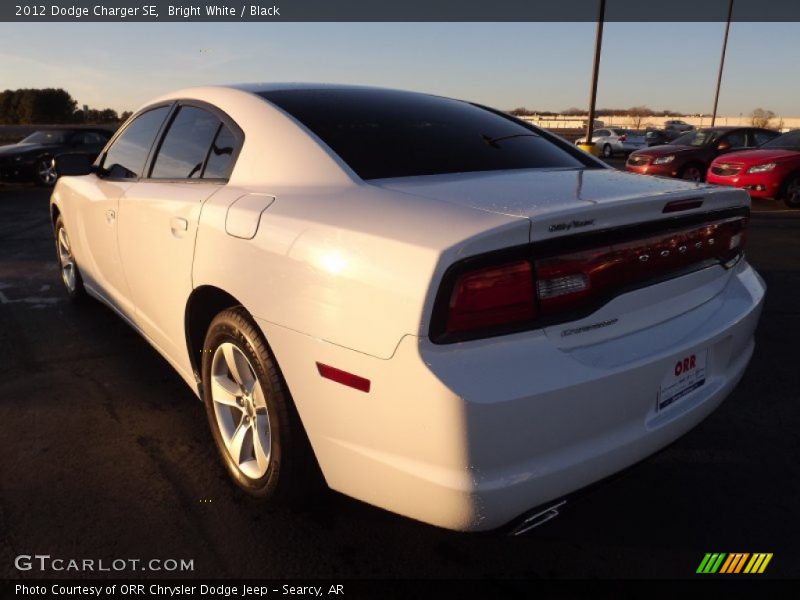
x: 470, y: 436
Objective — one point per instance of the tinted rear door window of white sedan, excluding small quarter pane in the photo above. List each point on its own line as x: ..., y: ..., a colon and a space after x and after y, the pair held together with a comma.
x: 186, y: 144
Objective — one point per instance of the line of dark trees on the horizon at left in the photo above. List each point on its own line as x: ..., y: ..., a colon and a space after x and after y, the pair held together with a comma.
x: 31, y: 106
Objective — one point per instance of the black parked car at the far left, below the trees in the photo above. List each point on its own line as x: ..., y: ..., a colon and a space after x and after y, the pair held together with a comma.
x: 32, y: 158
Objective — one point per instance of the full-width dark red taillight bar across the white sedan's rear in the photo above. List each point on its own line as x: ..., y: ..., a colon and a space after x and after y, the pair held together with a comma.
x: 513, y: 295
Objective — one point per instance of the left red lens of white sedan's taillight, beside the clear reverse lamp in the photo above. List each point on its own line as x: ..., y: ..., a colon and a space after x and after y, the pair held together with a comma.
x: 491, y: 296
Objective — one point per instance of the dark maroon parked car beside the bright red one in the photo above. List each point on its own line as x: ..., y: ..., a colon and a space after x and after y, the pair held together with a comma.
x: 689, y: 156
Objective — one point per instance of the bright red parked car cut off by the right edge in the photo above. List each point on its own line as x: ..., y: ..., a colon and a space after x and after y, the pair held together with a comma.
x: 772, y: 171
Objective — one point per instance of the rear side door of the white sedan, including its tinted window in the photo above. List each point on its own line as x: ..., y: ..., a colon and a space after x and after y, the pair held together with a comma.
x: 159, y: 215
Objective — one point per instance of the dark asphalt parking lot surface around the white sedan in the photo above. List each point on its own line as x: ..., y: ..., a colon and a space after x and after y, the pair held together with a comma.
x: 105, y: 453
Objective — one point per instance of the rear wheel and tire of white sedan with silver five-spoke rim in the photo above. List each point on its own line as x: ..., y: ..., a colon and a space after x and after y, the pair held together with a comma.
x: 253, y: 420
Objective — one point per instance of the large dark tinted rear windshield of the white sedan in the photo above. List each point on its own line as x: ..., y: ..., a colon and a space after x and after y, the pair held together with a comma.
x: 386, y: 133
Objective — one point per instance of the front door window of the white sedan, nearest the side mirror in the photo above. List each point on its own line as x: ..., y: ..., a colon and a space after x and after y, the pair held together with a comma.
x: 126, y: 157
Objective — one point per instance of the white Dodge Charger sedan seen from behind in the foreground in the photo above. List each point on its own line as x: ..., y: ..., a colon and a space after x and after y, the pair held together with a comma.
x: 436, y: 308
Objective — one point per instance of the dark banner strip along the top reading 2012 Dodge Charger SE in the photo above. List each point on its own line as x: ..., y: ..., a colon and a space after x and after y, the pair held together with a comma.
x: 678, y: 11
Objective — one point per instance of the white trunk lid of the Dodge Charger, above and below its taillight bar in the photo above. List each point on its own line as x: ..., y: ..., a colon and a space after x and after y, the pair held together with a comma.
x: 564, y: 203
